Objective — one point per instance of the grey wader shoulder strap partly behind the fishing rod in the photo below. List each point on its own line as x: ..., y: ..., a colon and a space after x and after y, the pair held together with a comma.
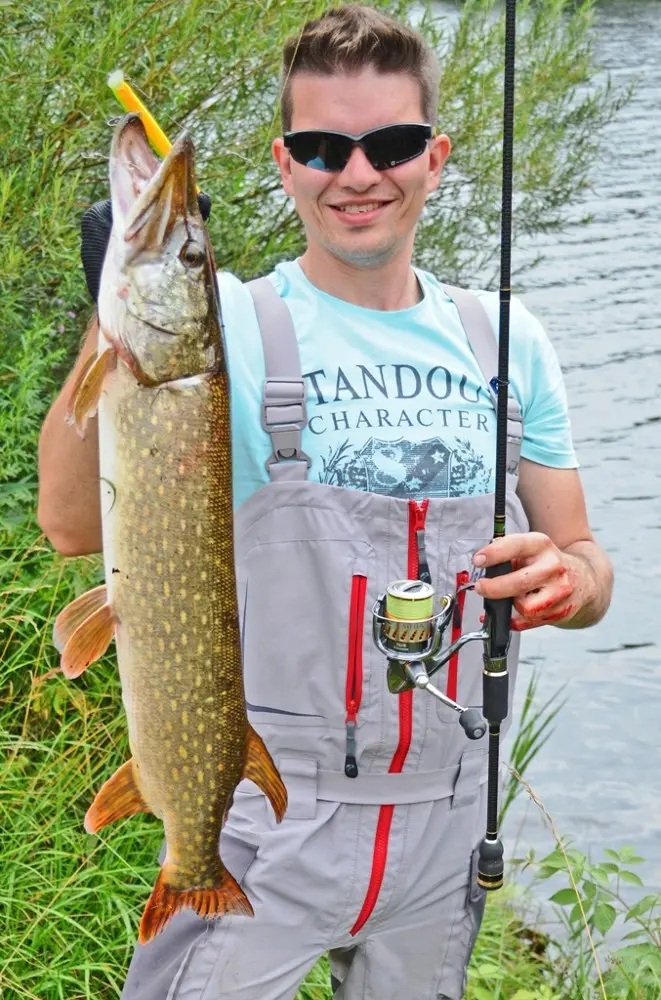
x: 484, y: 346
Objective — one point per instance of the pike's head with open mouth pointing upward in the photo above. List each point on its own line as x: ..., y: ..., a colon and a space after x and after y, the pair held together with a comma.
x: 157, y: 299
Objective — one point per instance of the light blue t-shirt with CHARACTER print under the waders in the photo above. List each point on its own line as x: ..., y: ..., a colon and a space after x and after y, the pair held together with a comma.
x: 396, y: 401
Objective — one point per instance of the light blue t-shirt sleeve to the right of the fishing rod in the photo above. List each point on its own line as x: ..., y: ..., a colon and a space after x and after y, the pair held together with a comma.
x: 547, y: 437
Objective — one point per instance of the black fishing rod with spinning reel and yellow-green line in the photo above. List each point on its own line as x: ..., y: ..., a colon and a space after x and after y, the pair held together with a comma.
x: 404, y: 627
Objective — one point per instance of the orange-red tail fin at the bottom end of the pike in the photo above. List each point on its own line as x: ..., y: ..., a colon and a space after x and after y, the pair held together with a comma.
x: 226, y: 896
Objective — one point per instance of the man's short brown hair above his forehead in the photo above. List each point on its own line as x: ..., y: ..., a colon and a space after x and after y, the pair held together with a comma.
x: 352, y: 37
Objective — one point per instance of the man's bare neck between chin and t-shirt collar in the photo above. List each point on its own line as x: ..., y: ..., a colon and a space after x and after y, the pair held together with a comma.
x: 391, y: 286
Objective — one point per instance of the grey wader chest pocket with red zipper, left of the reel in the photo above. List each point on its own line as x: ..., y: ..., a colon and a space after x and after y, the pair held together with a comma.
x: 299, y: 634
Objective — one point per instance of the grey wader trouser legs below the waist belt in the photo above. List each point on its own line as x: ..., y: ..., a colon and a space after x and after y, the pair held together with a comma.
x: 307, y: 882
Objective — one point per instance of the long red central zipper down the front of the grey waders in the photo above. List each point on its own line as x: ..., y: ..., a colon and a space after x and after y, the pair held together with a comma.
x: 417, y: 514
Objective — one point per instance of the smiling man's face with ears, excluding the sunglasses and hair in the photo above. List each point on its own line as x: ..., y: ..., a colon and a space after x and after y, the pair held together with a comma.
x: 395, y: 198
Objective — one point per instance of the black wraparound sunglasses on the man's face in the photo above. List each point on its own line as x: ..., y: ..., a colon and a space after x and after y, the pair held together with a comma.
x: 384, y: 147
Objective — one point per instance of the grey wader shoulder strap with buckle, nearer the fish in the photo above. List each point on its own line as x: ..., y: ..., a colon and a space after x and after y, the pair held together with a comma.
x: 283, y: 397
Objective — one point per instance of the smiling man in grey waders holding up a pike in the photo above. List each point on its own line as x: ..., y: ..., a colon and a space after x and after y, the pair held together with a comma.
x: 375, y: 860
